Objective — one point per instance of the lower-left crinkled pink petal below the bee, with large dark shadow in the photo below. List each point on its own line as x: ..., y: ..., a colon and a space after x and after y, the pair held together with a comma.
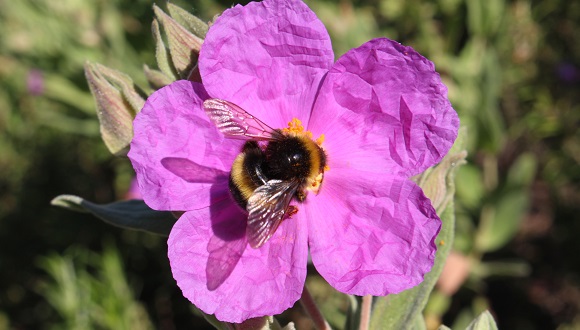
x: 221, y: 274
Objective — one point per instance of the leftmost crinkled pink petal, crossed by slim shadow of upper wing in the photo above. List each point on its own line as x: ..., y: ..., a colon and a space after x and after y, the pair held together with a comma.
x: 182, y: 161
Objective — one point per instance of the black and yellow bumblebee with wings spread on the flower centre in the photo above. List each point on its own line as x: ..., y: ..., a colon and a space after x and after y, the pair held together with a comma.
x: 274, y: 167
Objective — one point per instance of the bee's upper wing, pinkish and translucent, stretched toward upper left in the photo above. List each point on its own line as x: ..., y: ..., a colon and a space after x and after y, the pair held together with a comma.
x: 234, y: 122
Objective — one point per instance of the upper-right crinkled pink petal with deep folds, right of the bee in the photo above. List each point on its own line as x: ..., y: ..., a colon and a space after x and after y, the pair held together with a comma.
x: 382, y: 107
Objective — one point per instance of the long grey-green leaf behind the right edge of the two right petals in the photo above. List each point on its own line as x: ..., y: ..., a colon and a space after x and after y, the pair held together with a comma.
x: 401, y: 311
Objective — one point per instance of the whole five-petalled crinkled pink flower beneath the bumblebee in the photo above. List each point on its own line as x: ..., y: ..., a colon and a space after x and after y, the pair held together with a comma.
x: 385, y: 116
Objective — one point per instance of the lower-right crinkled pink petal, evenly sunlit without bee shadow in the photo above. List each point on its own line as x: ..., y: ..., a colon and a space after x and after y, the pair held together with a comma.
x: 371, y: 234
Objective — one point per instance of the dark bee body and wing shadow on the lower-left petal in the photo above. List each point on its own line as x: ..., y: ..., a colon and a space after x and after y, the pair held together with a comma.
x: 228, y: 242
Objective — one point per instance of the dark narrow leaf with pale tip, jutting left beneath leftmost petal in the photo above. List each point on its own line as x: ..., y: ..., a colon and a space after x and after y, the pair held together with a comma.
x: 132, y: 214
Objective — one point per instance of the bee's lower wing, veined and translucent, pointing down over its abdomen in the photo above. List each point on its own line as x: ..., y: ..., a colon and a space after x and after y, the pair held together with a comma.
x: 267, y: 207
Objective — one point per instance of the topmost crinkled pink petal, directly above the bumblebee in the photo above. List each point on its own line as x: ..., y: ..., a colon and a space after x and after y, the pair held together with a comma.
x: 268, y: 57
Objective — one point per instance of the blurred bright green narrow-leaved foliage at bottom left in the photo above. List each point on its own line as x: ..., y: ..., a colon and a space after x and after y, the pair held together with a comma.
x: 86, y: 301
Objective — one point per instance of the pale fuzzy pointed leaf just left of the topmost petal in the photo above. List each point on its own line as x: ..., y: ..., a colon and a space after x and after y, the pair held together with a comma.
x: 183, y: 45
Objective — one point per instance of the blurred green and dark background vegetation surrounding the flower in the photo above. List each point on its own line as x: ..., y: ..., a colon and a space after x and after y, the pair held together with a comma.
x: 513, y: 72
